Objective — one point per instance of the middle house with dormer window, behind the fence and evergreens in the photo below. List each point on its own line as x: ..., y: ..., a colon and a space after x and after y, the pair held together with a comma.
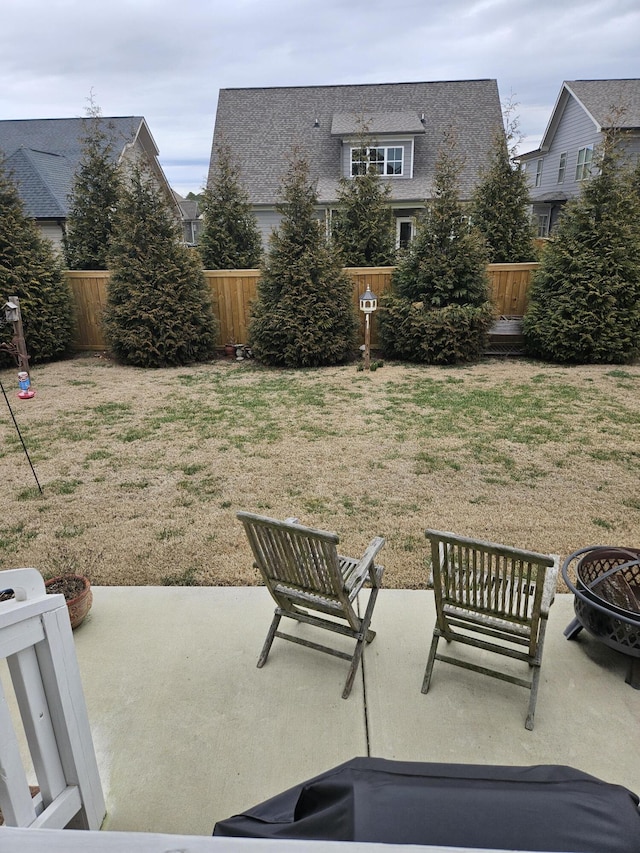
x: 399, y: 126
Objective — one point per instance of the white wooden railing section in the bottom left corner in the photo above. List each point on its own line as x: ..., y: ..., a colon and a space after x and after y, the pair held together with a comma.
x: 37, y: 642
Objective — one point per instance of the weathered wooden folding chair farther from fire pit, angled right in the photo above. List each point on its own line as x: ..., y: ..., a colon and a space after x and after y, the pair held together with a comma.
x: 303, y: 572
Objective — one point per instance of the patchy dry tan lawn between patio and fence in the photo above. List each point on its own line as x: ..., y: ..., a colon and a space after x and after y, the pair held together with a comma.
x: 143, y: 471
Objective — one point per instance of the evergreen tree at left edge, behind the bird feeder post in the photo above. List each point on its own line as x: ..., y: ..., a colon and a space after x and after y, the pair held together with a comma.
x: 31, y: 270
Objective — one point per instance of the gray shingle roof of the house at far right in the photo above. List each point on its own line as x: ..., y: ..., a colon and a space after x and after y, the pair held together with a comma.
x: 603, y: 99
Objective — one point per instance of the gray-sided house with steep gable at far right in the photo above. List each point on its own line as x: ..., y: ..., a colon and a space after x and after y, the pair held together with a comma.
x: 583, y: 110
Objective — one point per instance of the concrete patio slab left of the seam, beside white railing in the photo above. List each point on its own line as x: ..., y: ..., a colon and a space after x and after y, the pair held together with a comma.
x: 186, y: 728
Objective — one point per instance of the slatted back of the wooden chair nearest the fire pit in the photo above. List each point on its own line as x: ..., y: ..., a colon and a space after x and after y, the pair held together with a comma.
x: 488, y: 579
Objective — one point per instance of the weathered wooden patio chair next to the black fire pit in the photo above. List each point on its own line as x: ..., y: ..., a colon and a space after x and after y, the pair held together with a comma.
x: 483, y: 589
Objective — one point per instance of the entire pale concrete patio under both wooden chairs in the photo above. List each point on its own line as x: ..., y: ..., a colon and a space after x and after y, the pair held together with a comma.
x: 188, y: 731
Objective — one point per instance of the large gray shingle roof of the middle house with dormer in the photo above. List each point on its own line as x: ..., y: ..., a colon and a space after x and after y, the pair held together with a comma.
x: 264, y: 125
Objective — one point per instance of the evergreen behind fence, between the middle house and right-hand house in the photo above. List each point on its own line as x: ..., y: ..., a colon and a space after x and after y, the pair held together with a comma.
x: 500, y: 205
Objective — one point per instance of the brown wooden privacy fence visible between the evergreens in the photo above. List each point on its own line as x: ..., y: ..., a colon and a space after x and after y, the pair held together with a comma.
x: 233, y: 290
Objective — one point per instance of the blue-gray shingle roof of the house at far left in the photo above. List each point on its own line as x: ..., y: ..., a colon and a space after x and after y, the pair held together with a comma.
x: 43, y: 154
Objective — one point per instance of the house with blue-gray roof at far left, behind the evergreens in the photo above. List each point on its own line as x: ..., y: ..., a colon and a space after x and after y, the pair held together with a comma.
x: 42, y: 156
